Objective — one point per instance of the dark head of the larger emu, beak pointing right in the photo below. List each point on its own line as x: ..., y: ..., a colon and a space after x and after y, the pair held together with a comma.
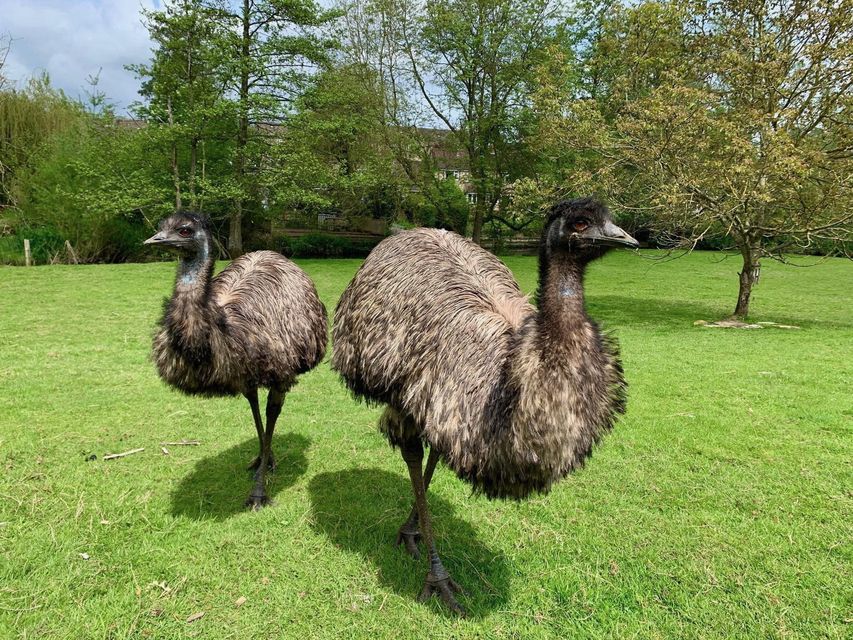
x: 584, y: 229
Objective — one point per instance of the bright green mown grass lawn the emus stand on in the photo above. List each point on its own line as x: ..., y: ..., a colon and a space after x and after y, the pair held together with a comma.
x: 720, y: 507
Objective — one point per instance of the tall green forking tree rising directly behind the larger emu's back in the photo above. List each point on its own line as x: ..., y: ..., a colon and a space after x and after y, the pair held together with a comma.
x: 478, y: 56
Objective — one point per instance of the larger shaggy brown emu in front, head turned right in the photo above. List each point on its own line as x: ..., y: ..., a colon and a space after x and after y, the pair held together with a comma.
x: 511, y: 397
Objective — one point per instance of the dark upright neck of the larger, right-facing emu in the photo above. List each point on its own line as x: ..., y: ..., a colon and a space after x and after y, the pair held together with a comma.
x: 561, y: 300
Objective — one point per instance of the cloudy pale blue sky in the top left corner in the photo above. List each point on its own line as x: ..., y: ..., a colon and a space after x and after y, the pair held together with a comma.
x: 73, y: 39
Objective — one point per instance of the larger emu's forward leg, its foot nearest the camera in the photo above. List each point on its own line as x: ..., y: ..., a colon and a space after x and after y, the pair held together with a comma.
x: 438, y: 580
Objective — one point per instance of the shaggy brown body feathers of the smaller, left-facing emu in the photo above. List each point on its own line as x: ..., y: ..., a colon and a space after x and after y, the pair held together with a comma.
x: 259, y: 323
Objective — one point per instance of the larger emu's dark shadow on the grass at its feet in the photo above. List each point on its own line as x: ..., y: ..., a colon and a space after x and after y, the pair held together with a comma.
x: 361, y: 510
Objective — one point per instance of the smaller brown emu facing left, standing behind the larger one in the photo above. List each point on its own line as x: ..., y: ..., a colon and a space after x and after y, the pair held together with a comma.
x: 259, y: 323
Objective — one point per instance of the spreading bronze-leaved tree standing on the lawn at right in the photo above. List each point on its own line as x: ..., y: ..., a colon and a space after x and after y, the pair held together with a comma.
x: 745, y: 136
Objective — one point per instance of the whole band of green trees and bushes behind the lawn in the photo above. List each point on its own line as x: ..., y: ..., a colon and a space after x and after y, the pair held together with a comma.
x: 716, y: 123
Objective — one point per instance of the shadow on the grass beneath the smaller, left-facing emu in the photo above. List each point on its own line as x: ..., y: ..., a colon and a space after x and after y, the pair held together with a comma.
x: 218, y: 486
